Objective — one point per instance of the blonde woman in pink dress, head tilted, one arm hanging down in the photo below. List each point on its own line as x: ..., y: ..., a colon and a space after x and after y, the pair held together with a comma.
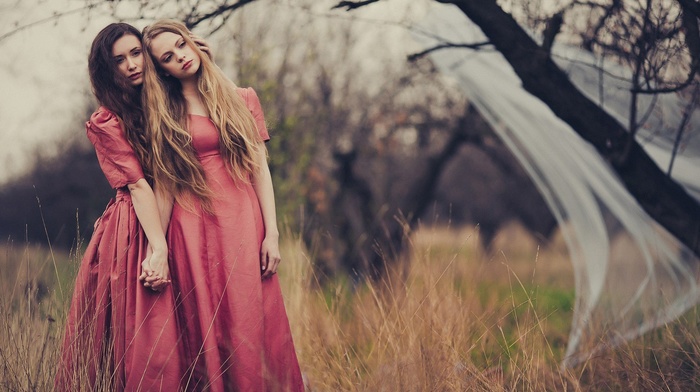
x: 210, y: 160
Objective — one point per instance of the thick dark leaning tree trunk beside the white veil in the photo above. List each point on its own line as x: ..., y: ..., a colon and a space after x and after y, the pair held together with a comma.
x: 660, y: 196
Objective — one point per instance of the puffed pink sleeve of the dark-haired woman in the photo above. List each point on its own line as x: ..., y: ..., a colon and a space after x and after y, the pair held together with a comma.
x: 117, y: 159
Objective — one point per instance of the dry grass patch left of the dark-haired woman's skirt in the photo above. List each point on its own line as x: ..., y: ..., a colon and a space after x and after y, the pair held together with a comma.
x: 31, y: 306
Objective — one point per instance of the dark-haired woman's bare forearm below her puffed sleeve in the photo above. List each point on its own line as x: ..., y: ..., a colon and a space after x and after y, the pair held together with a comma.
x: 148, y: 213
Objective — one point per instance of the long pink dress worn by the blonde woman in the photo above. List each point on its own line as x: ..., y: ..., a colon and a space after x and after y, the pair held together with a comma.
x: 234, y: 326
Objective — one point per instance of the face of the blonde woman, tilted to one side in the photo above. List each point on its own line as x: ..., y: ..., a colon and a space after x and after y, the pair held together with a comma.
x: 175, y: 56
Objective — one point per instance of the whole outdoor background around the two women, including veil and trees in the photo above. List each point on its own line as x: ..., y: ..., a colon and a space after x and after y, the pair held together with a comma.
x: 432, y: 242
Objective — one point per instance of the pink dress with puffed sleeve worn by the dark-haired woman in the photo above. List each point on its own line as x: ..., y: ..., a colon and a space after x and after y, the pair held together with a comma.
x: 118, y: 334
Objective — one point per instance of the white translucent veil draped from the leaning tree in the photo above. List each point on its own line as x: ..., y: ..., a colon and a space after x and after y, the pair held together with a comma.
x: 630, y: 274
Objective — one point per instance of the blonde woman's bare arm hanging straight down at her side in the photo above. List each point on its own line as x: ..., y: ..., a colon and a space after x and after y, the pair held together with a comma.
x: 269, y: 251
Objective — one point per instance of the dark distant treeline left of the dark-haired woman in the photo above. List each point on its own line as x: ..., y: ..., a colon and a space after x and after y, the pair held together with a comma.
x: 57, y: 200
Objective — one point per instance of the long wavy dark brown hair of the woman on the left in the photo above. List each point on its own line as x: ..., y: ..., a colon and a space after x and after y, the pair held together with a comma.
x: 113, y: 90
